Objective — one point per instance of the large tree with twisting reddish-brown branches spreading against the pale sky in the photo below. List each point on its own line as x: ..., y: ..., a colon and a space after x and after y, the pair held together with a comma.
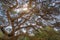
x: 25, y: 15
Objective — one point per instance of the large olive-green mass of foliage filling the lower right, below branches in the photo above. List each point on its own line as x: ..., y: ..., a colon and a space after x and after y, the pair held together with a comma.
x: 45, y: 34
